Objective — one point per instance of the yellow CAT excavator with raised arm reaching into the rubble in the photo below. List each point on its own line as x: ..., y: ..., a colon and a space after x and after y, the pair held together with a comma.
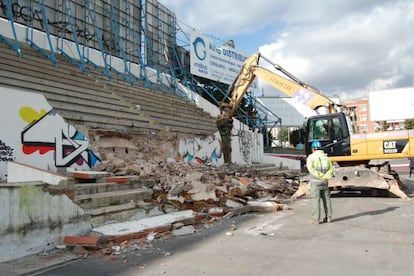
x: 351, y: 152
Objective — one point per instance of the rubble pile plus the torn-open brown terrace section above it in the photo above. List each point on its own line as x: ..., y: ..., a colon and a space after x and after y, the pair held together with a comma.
x: 186, y: 185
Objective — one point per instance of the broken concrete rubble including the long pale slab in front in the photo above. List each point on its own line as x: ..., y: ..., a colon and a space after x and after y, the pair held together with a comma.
x: 188, y: 196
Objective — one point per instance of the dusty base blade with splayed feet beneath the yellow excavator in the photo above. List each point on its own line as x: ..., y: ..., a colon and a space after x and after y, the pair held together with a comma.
x: 358, y: 178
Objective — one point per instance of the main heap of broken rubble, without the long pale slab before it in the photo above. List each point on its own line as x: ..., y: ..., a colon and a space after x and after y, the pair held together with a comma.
x: 182, y: 186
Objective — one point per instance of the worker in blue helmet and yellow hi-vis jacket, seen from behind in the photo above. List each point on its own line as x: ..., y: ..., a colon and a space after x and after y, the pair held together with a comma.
x: 321, y: 170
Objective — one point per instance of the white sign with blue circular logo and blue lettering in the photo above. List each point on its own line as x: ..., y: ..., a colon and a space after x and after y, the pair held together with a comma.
x: 215, y: 62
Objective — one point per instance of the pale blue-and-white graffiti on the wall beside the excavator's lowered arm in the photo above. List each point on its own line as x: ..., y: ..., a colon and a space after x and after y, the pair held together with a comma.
x: 200, y: 151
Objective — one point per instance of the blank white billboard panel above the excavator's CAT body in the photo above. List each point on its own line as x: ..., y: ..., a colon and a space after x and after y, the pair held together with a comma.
x: 392, y: 104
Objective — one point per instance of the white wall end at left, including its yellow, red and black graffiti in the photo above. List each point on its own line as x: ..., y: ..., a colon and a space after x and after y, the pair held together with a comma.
x: 33, y: 134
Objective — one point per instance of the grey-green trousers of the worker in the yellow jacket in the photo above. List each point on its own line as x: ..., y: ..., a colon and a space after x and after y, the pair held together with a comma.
x: 321, y: 192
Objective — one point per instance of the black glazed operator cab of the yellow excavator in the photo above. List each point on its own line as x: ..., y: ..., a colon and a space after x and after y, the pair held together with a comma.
x: 333, y: 131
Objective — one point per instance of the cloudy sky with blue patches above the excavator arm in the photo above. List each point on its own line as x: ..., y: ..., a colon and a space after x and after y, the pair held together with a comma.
x: 342, y: 47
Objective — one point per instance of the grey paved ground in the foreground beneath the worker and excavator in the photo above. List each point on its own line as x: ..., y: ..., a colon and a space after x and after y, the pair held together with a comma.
x: 368, y: 236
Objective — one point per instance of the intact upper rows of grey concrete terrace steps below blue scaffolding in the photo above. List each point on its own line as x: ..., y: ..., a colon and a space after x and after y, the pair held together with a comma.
x: 91, y: 100
